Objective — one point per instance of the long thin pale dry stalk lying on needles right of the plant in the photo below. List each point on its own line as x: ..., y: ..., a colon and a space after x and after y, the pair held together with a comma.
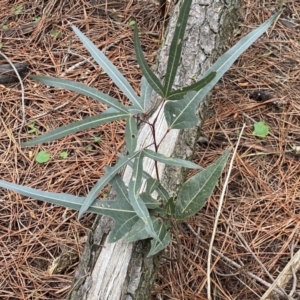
x: 218, y: 216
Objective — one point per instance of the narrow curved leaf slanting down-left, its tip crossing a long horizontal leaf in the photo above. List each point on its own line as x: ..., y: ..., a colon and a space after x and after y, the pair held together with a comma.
x: 109, y: 175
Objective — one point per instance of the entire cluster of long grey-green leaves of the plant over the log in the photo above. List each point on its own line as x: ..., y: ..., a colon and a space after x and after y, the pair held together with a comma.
x: 143, y: 209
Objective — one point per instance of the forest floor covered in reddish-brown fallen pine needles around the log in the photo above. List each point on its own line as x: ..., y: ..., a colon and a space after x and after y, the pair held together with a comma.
x: 259, y: 225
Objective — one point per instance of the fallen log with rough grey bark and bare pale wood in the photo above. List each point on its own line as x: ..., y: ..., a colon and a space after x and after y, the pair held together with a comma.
x: 121, y: 270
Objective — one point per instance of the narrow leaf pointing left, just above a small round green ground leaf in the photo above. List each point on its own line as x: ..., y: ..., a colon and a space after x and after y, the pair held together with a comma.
x: 90, y: 122
